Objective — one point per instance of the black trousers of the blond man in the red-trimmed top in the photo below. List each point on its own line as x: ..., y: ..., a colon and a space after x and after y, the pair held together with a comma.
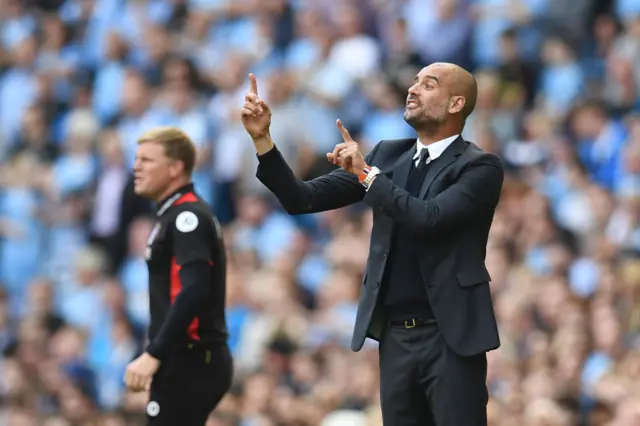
x: 188, y: 386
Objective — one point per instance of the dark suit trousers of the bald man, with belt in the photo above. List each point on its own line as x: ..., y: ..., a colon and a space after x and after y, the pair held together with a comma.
x: 424, y: 383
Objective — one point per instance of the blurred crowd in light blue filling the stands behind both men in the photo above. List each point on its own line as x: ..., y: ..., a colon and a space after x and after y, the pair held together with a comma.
x: 80, y: 80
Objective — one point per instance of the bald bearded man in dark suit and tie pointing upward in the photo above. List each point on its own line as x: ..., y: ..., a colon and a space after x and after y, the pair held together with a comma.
x: 425, y: 296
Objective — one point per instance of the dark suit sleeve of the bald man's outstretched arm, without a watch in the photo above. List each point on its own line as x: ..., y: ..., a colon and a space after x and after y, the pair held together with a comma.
x: 332, y: 191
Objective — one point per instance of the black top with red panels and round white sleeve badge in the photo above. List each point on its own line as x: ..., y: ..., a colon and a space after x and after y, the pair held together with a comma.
x: 186, y: 261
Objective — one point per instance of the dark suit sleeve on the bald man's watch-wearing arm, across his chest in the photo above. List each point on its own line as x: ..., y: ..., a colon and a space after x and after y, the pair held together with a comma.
x: 474, y: 195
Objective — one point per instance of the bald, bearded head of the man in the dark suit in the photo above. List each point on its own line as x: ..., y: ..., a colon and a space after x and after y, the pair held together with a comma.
x: 442, y: 97
